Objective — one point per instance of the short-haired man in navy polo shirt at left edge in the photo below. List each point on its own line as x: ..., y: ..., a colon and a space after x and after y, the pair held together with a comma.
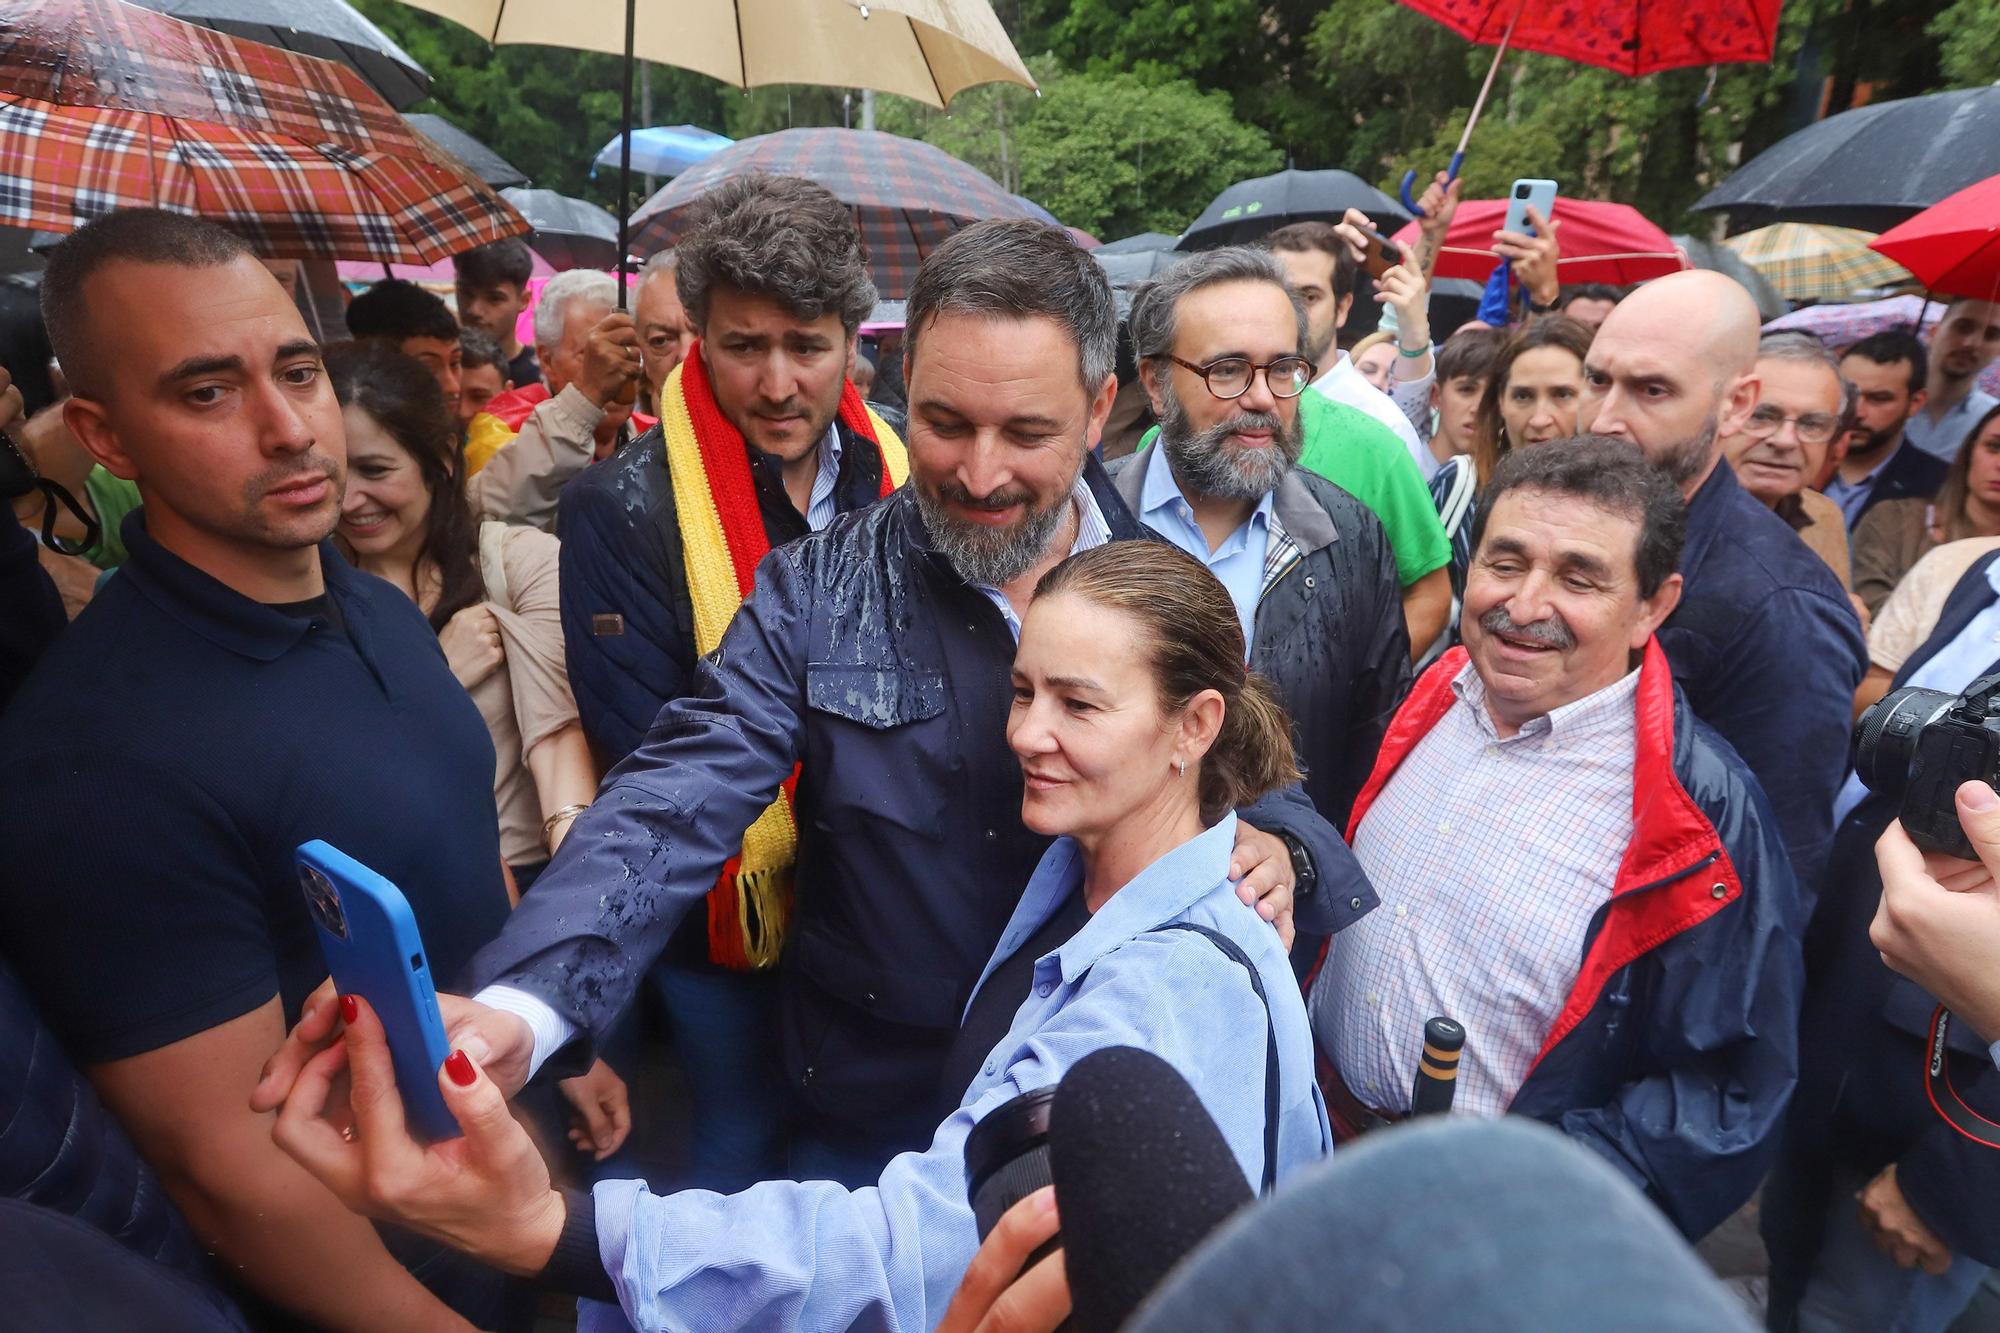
x: 235, y: 692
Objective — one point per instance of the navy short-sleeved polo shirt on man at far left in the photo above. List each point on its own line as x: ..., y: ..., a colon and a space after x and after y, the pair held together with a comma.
x: 177, y: 746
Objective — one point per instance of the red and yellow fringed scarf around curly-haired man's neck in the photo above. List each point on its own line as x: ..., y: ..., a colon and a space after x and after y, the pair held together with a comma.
x: 723, y: 539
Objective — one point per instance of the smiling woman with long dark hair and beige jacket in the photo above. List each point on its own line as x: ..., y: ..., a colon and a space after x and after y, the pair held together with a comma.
x: 489, y: 591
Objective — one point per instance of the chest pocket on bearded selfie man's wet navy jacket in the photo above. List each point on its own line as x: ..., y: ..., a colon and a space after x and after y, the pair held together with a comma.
x: 881, y: 748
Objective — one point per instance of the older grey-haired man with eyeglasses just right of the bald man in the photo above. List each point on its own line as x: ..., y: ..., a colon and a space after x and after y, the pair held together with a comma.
x: 1785, y: 443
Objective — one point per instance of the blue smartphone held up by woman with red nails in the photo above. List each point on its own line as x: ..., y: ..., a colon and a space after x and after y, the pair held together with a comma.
x: 373, y: 950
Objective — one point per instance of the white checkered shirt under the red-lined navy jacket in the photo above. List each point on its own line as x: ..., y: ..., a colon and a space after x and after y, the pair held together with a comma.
x: 1491, y: 858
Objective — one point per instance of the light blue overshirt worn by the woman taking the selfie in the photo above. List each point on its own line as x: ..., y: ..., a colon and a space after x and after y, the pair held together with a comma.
x: 813, y: 1256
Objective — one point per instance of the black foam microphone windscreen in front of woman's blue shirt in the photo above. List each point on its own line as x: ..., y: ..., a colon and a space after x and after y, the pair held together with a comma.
x: 1143, y: 1176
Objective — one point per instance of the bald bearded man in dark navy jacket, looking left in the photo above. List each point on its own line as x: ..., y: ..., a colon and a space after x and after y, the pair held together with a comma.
x: 1765, y: 641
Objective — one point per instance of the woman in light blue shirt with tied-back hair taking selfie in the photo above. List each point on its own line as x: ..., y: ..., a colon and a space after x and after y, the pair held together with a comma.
x: 1139, y: 732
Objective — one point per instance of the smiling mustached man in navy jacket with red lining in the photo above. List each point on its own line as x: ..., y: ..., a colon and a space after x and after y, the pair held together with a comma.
x: 1571, y: 866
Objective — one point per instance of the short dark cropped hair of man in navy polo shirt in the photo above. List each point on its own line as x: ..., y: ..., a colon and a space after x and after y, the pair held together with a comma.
x: 133, y: 235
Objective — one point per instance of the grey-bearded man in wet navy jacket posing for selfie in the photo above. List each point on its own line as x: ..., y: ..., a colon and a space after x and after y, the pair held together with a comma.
x: 873, y: 663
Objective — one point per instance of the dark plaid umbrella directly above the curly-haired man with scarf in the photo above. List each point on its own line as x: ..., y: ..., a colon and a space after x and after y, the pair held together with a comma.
x: 907, y: 195
